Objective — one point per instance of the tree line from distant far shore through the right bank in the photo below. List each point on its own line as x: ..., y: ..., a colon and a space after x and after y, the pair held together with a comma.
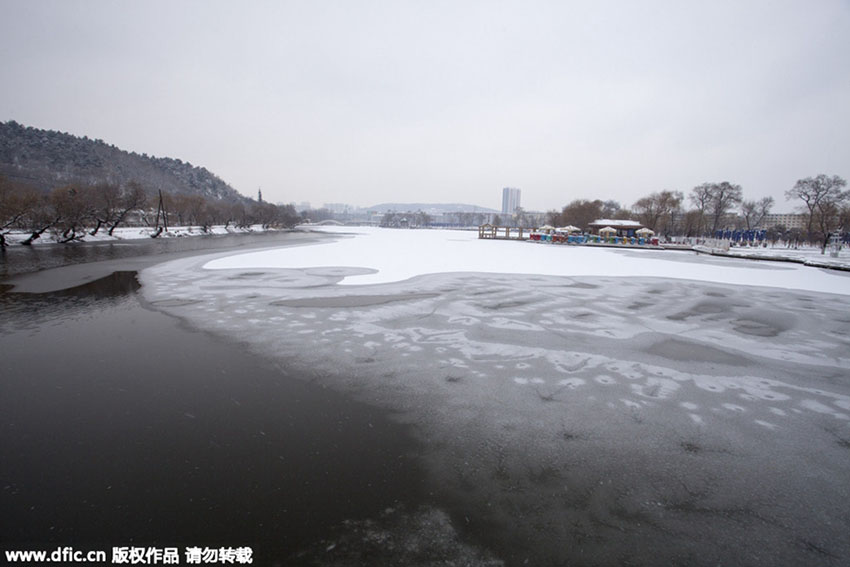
x: 707, y: 210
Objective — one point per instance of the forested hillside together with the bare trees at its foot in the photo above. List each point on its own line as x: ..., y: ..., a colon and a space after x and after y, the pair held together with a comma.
x: 71, y: 188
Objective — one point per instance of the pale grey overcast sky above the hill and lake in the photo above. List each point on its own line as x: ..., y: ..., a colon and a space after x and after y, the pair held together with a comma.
x: 363, y: 102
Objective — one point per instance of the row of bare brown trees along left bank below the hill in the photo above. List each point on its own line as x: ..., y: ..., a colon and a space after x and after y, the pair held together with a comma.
x: 72, y: 211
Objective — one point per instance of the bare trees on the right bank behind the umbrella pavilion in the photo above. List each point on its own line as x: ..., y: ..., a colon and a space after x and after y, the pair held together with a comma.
x: 719, y: 206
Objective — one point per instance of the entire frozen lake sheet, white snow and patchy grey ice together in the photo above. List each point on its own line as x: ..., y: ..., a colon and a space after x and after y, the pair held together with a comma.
x: 576, y: 404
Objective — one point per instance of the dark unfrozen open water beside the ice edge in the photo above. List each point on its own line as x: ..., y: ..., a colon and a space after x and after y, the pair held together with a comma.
x: 120, y: 427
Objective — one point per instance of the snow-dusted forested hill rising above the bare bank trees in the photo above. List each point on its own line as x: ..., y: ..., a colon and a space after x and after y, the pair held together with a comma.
x: 48, y: 159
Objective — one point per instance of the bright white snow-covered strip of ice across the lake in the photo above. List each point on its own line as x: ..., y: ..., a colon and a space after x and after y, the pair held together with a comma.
x: 396, y: 255
